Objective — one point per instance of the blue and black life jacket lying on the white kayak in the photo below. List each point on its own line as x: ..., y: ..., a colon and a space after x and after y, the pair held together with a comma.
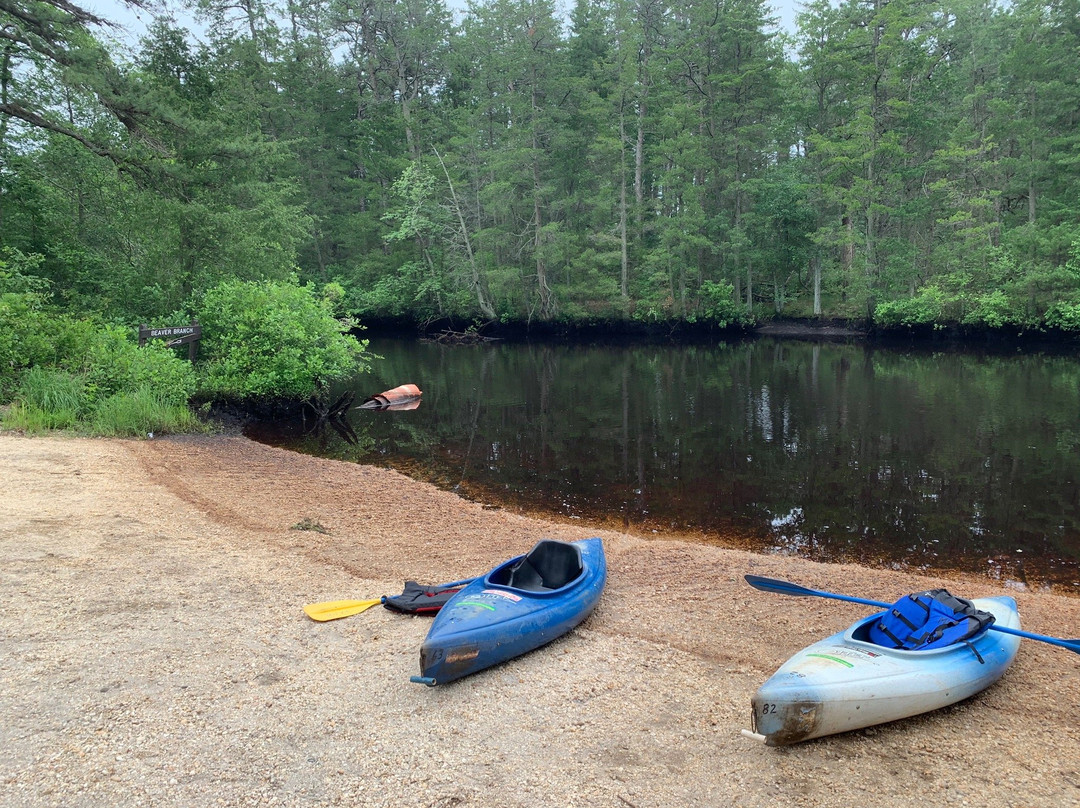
x: 931, y: 620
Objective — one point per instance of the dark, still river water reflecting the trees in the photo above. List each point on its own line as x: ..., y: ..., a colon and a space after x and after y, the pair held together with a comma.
x: 909, y: 460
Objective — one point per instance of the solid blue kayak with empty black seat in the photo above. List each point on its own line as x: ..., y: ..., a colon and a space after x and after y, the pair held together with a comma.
x: 519, y: 607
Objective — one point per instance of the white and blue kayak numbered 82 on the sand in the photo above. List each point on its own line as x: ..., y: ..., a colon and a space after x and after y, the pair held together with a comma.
x: 846, y: 682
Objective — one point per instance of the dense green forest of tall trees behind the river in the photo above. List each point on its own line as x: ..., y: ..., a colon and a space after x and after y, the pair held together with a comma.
x: 907, y: 163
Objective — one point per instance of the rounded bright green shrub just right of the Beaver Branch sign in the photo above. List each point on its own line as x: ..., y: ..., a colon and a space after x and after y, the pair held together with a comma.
x: 274, y: 341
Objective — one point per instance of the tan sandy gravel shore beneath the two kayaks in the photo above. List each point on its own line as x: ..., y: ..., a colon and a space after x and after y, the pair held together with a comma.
x: 155, y: 654
